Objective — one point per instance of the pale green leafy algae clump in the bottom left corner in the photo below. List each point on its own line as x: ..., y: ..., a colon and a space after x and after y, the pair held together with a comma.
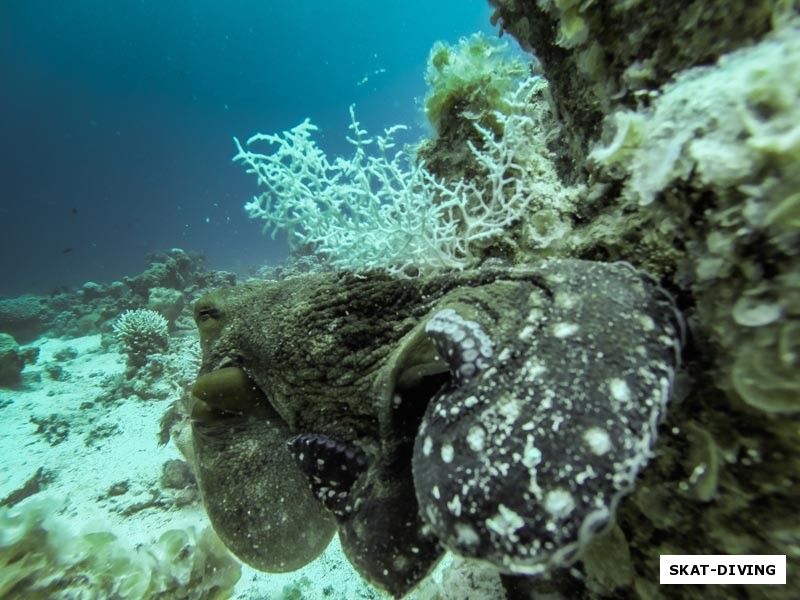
x: 43, y: 557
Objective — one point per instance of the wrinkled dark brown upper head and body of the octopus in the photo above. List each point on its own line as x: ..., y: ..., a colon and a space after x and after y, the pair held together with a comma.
x: 318, y: 346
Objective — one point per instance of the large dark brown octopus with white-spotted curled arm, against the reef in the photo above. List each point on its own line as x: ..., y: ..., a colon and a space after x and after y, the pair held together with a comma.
x: 499, y: 414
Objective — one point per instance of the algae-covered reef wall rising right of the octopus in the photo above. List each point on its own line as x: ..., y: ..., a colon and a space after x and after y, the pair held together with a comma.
x: 681, y: 119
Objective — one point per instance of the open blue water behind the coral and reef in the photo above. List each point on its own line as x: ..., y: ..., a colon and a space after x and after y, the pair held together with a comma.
x: 117, y: 118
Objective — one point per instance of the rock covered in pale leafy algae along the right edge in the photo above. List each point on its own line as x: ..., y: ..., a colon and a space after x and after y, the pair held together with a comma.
x: 740, y: 142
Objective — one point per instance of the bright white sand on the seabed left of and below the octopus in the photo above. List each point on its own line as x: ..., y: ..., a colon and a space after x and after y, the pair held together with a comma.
x: 85, y: 472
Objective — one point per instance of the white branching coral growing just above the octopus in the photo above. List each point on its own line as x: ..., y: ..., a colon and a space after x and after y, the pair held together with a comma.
x: 380, y: 209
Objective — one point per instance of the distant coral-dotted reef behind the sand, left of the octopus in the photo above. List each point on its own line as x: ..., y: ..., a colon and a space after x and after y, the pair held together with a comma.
x: 167, y: 283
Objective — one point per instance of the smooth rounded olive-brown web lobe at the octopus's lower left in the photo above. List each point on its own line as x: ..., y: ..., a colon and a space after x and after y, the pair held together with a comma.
x: 254, y: 512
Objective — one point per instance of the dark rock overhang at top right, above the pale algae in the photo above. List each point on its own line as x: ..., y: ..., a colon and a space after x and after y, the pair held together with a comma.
x: 599, y: 56
